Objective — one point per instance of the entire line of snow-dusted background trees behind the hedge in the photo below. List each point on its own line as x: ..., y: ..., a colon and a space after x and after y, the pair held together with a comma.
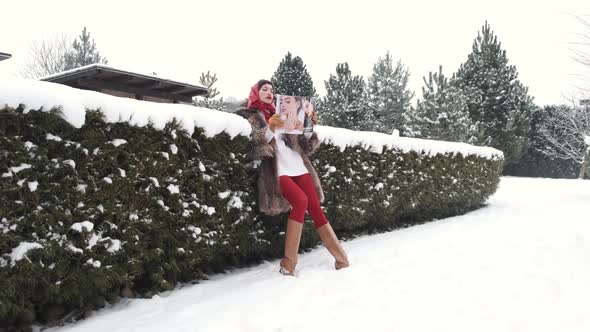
x: 482, y: 103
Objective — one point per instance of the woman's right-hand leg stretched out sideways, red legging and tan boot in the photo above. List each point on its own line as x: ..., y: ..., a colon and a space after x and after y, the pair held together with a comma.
x: 323, y: 228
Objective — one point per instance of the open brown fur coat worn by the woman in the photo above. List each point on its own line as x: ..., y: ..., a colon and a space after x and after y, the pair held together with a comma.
x: 270, y: 198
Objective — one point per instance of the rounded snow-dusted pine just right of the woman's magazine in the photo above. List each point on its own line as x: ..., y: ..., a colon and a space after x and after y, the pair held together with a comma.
x: 345, y: 103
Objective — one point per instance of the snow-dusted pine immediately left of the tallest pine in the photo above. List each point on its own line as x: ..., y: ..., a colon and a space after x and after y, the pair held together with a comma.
x: 441, y: 114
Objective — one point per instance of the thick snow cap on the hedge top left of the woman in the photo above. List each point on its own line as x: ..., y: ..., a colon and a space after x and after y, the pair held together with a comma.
x: 74, y: 102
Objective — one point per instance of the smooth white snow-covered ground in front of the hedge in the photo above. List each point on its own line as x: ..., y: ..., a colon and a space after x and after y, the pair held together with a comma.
x: 520, y: 264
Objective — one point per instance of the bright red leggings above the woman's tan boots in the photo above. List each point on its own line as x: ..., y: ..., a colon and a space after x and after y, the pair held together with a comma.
x: 300, y: 192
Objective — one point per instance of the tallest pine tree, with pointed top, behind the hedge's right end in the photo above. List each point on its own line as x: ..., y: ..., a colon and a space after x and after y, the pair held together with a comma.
x: 495, y: 97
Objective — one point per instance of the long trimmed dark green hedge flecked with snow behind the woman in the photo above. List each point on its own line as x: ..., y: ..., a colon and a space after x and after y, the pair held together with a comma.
x: 168, y: 208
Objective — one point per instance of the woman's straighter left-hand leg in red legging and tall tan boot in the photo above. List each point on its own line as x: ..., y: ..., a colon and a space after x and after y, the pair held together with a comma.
x: 298, y: 201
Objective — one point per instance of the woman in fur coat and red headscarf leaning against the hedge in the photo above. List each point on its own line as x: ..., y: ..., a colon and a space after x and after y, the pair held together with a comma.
x: 287, y: 181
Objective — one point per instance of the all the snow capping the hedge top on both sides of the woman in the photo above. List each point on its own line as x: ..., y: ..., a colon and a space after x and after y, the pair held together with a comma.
x: 74, y: 102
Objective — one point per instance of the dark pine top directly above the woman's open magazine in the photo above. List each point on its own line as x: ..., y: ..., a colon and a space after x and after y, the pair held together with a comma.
x: 292, y: 78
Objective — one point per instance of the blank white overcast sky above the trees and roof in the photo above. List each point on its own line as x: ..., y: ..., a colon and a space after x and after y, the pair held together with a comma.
x: 243, y: 41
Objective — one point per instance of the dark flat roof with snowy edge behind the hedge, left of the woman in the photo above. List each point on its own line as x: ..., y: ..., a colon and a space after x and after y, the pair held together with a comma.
x: 98, y: 76
